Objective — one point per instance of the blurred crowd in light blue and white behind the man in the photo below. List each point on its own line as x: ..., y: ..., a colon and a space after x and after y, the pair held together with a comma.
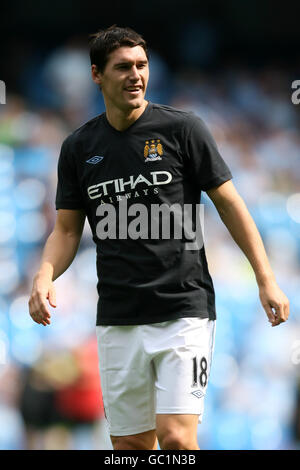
x: 50, y: 394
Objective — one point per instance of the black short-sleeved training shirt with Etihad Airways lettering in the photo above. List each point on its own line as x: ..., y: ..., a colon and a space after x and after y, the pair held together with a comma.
x: 167, y: 156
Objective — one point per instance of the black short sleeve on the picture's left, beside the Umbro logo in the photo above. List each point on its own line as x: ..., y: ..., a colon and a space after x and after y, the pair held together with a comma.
x: 68, y: 192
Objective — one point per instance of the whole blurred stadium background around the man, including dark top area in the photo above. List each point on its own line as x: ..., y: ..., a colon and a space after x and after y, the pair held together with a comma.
x: 233, y: 64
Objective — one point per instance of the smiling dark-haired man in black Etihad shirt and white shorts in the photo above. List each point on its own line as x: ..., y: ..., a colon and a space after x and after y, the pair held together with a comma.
x: 156, y: 311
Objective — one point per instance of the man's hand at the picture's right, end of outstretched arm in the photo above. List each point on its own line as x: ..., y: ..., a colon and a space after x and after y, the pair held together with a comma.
x: 272, y: 297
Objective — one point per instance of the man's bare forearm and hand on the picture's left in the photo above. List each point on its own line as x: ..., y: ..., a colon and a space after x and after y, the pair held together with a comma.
x: 59, y: 252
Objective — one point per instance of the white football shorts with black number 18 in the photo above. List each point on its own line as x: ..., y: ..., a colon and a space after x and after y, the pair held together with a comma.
x: 152, y: 369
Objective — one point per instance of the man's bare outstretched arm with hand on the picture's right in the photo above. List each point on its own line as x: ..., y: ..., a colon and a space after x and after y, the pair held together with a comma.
x: 243, y: 230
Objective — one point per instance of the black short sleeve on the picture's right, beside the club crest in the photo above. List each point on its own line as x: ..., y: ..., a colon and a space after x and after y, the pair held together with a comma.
x: 204, y: 160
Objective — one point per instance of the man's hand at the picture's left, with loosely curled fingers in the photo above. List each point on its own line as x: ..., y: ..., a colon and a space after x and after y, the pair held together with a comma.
x: 42, y: 290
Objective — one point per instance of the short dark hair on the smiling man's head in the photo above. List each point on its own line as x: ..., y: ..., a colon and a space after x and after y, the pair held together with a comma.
x: 107, y: 40
